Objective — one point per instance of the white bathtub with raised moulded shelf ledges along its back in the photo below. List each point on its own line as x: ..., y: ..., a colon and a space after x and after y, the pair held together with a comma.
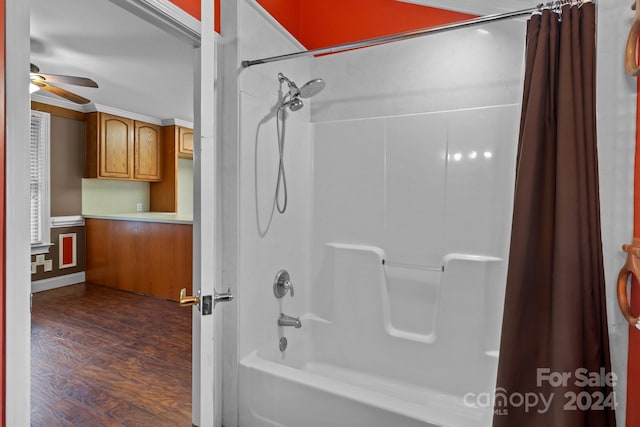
x: 362, y: 364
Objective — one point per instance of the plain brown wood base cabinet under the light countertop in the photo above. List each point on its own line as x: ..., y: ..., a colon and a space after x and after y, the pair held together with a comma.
x: 149, y: 258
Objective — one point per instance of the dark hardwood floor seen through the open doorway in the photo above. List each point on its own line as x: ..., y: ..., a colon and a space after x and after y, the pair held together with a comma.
x: 104, y: 357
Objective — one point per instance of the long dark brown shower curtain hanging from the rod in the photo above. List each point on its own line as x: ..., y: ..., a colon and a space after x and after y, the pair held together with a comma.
x: 554, y: 367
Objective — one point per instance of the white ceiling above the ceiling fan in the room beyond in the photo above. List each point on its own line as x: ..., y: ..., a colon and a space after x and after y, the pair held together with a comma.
x: 139, y: 67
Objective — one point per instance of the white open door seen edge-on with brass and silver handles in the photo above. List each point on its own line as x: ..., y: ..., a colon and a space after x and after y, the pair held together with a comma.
x: 207, y: 384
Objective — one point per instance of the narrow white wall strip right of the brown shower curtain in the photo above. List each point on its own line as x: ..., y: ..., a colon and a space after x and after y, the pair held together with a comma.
x: 616, y: 114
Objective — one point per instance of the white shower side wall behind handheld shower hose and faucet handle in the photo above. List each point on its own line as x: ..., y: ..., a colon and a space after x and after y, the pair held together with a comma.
x: 269, y: 241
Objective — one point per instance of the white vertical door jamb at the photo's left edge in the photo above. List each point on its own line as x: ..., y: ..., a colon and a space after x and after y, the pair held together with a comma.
x: 17, y: 247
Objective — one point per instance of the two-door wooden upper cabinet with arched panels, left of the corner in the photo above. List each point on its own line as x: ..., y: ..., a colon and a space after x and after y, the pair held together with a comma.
x: 122, y: 148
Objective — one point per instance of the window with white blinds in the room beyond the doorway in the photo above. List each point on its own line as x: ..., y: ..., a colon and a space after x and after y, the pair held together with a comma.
x: 39, y: 182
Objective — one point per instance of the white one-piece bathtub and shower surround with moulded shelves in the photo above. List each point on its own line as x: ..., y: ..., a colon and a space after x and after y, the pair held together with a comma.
x: 400, y: 298
